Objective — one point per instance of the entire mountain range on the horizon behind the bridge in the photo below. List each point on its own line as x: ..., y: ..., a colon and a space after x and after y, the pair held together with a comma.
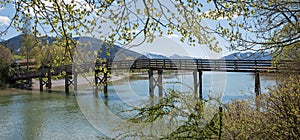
x: 119, y: 53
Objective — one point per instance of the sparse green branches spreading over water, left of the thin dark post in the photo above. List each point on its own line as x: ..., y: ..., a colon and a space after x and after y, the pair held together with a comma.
x: 183, y: 114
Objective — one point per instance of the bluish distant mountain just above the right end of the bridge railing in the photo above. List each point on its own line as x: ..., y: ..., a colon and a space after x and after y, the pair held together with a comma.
x: 249, y: 56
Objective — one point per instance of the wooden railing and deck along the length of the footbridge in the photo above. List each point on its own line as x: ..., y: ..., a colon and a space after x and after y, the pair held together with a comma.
x: 165, y: 64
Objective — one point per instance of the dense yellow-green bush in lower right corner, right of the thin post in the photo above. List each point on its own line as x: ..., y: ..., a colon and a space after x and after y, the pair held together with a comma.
x: 278, y: 118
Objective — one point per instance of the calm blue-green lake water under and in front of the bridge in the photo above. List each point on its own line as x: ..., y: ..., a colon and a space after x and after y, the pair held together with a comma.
x: 35, y: 115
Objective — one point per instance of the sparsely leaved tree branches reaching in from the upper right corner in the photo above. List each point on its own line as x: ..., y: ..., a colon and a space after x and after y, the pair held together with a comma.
x: 260, y: 24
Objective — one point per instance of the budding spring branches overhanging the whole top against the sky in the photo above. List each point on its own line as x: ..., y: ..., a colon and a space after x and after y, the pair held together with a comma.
x: 256, y: 24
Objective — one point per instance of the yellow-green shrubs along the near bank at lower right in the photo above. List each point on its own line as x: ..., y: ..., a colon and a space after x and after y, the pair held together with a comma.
x: 271, y: 115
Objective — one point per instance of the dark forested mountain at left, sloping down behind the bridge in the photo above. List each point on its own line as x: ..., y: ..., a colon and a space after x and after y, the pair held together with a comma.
x: 88, y: 43
